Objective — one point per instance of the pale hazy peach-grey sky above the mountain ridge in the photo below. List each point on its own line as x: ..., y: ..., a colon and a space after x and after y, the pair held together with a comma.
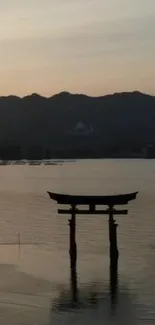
x: 94, y: 47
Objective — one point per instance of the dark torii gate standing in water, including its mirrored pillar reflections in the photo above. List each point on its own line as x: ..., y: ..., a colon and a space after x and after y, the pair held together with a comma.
x: 92, y: 202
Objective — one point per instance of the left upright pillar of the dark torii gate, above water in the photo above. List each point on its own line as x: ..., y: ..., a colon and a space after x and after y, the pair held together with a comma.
x: 73, y: 249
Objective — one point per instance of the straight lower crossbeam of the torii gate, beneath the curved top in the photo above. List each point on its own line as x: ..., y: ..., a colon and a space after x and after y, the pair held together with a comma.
x: 89, y: 212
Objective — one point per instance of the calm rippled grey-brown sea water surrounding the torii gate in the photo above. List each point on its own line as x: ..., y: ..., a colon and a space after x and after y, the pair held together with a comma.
x: 35, y: 281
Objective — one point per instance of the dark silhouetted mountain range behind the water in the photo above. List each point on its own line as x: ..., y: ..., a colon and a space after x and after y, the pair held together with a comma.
x: 73, y: 125
